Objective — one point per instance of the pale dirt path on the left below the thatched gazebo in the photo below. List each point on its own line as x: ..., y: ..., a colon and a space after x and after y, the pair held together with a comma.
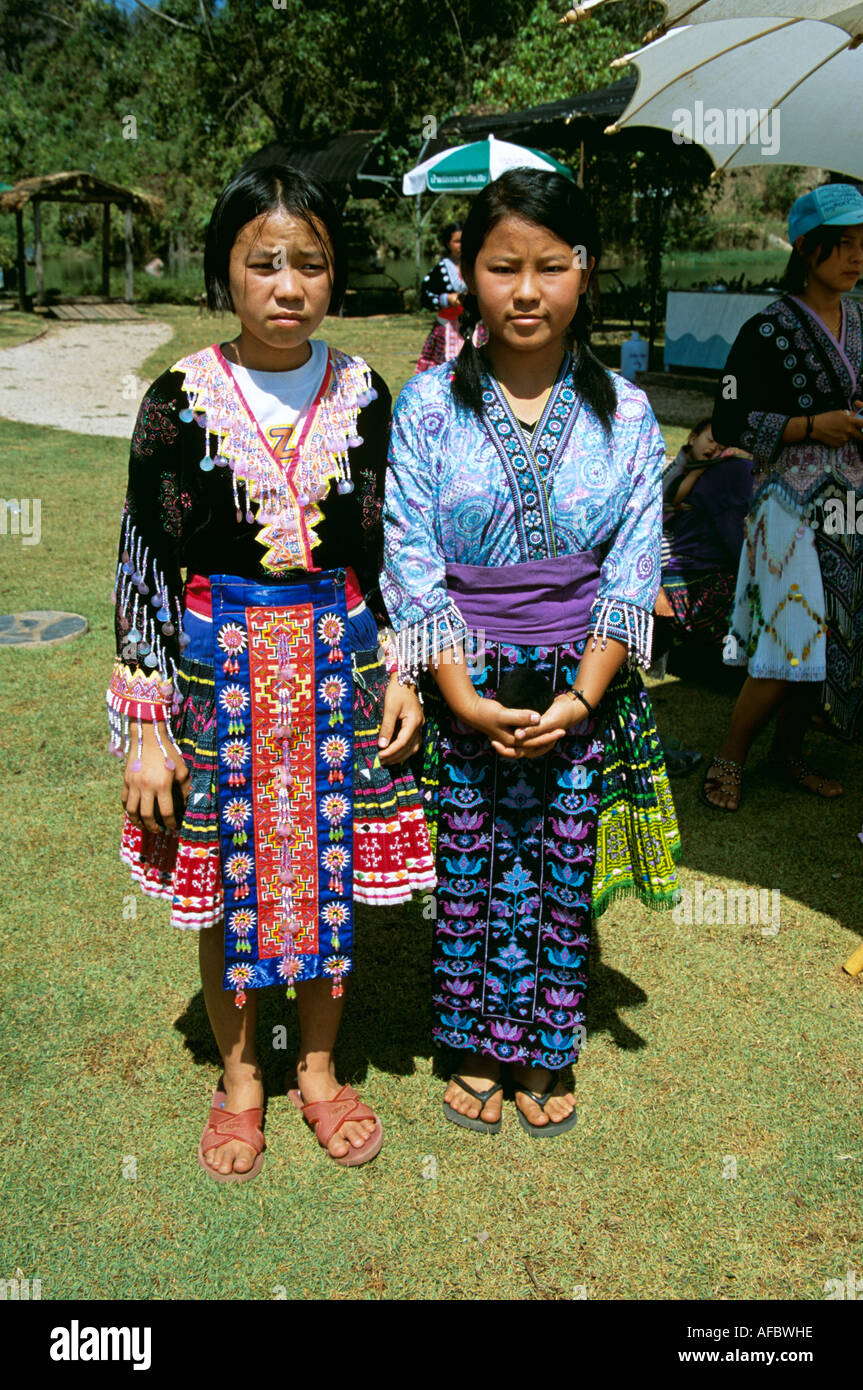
x: 81, y: 377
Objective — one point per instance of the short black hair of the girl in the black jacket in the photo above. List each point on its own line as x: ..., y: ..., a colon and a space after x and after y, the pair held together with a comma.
x: 269, y: 190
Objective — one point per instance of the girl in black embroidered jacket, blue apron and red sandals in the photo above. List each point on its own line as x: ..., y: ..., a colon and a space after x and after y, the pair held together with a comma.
x: 263, y: 736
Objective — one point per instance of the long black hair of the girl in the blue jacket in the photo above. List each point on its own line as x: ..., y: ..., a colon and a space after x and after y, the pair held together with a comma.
x: 557, y: 204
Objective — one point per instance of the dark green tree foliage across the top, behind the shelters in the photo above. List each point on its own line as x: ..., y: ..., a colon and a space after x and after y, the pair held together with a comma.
x: 174, y: 95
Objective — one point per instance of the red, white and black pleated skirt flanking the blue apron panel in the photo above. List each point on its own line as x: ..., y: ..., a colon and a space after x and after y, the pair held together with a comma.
x: 393, y: 857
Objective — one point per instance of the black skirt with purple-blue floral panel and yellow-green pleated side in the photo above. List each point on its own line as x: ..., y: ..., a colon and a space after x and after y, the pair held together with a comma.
x: 530, y: 851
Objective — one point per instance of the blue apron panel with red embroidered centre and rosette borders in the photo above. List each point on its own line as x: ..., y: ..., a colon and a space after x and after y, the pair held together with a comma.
x: 284, y: 703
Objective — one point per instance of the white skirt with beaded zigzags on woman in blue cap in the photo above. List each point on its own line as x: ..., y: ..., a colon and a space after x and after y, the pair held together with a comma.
x: 780, y: 619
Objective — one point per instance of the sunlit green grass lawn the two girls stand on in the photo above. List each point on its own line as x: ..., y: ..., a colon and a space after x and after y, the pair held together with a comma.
x: 712, y: 1050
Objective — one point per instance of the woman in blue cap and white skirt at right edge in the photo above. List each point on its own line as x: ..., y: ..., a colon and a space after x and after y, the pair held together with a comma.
x: 793, y: 397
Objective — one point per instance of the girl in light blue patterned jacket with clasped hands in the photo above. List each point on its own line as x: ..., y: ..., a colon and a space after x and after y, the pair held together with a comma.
x: 523, y: 523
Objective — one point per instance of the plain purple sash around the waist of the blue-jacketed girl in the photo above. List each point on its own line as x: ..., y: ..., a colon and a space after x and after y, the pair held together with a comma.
x: 536, y: 604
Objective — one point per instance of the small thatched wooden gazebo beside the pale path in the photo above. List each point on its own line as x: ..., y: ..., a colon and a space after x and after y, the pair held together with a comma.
x: 76, y: 187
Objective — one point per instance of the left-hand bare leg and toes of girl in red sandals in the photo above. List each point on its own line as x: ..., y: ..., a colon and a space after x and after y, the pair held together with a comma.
x: 234, y: 1032
